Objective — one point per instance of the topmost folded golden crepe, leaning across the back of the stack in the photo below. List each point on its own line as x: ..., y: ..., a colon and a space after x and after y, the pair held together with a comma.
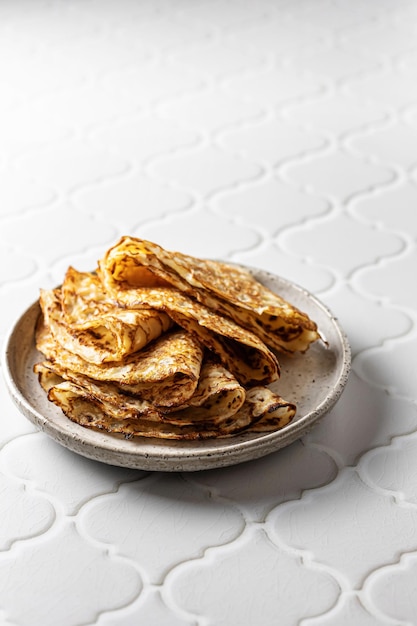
x: 226, y: 289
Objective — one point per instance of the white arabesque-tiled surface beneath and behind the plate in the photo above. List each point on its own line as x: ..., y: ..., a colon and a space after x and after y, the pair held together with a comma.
x: 281, y: 134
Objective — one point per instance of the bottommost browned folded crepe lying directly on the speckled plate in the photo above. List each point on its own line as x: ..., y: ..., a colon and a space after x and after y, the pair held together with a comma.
x: 96, y: 411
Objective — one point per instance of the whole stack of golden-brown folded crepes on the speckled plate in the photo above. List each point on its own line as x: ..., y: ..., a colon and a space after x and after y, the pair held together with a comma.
x: 161, y: 344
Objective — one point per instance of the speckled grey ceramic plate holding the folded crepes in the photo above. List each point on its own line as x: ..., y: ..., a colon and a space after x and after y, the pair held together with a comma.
x: 314, y: 381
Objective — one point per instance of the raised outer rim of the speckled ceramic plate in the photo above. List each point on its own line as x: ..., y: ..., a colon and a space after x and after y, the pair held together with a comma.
x: 177, y: 455
